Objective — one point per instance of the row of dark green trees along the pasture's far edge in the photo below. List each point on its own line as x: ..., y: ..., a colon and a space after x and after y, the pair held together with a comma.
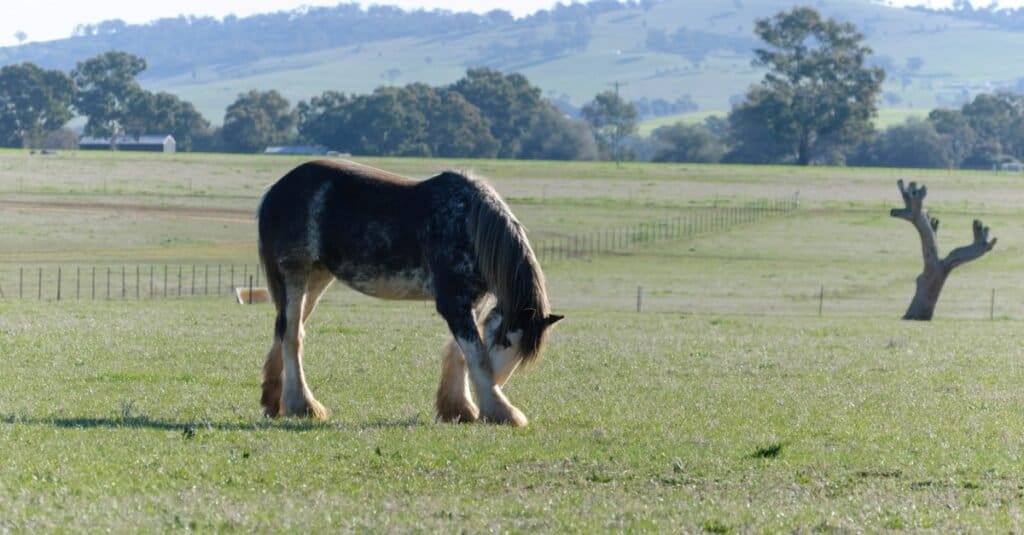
x: 816, y: 105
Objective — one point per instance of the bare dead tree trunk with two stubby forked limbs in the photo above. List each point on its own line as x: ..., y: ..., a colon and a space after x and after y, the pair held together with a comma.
x: 936, y: 270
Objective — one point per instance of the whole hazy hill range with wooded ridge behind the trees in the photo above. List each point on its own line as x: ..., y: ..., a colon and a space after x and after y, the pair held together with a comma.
x: 677, y: 56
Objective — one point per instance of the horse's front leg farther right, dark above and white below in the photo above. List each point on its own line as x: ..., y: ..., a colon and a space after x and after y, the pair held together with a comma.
x: 495, y: 407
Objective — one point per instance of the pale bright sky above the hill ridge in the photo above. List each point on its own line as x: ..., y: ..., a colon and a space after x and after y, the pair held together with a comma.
x: 48, y: 20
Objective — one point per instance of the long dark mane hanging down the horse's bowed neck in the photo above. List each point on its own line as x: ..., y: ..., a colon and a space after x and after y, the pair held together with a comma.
x: 510, y: 269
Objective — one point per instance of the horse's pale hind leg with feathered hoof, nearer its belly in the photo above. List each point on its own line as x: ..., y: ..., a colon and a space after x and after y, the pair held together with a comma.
x: 296, y: 399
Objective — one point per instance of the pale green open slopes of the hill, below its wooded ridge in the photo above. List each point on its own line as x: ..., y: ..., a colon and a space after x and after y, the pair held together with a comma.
x: 959, y: 59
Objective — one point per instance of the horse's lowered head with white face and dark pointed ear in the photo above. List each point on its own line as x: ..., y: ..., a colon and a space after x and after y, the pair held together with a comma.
x: 507, y: 351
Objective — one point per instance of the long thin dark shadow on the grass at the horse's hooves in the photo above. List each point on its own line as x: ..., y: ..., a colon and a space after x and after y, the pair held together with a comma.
x: 191, y: 427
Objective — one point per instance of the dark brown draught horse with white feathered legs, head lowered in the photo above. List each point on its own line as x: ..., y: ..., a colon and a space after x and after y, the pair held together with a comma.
x: 450, y: 238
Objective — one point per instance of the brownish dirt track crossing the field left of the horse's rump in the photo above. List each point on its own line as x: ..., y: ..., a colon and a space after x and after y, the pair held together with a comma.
x: 182, y: 213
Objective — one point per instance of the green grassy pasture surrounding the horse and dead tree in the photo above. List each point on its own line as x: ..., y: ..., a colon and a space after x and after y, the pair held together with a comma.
x: 729, y: 405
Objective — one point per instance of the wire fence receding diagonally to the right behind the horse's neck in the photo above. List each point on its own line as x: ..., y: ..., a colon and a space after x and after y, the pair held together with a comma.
x: 695, y: 223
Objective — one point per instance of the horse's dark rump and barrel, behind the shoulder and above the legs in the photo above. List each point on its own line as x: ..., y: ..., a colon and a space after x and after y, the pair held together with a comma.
x: 367, y: 227
